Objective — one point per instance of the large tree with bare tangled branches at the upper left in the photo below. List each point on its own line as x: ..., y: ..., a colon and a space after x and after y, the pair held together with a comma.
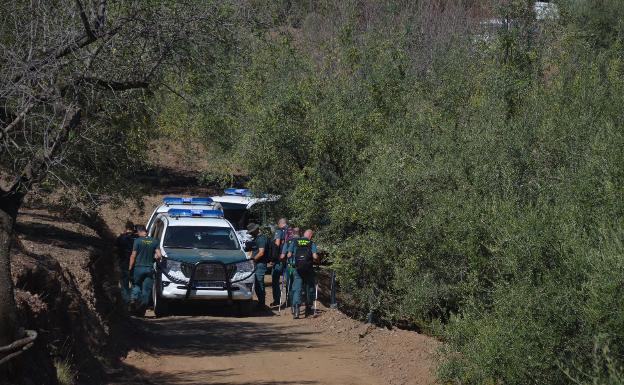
x: 73, y: 76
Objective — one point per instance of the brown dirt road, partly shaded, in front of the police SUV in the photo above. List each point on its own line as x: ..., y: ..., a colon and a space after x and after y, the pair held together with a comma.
x: 202, y: 345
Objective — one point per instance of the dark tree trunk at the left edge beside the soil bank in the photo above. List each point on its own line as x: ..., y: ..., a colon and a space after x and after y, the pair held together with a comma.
x: 8, y: 309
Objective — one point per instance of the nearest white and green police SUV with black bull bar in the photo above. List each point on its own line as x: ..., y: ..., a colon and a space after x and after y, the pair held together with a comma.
x: 203, y: 260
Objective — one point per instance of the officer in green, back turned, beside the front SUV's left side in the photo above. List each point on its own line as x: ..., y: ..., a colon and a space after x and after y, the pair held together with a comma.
x: 144, y: 250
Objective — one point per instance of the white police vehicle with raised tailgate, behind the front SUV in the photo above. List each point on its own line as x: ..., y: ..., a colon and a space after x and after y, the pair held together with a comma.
x: 241, y: 207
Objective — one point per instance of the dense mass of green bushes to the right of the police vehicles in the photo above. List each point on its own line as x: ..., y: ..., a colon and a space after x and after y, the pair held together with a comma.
x: 460, y: 178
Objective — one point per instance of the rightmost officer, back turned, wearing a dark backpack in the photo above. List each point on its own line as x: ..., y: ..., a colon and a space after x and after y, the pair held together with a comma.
x: 304, y: 251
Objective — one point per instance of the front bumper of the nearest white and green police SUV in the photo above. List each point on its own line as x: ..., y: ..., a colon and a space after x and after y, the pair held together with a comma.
x: 205, y: 290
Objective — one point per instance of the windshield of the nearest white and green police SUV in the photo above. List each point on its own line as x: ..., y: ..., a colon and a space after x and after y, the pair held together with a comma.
x: 201, y: 237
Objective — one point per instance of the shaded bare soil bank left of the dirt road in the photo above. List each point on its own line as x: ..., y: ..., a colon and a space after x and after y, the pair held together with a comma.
x: 64, y: 283
